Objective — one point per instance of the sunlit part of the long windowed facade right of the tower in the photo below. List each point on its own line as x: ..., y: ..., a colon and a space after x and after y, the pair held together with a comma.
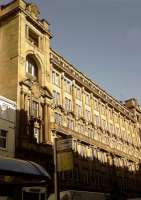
x: 93, y: 117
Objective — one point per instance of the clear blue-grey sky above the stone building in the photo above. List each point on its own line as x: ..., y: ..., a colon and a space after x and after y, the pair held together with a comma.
x: 102, y: 38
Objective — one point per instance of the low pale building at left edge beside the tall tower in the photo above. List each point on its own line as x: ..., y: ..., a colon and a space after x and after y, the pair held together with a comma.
x: 7, y: 127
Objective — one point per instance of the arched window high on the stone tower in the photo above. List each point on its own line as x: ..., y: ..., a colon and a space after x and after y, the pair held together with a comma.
x: 31, y: 67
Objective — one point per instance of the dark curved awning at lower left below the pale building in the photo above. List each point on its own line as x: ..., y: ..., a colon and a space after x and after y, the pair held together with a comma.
x: 15, y: 167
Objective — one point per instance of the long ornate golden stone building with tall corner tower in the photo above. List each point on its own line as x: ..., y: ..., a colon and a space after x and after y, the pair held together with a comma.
x: 54, y: 98
